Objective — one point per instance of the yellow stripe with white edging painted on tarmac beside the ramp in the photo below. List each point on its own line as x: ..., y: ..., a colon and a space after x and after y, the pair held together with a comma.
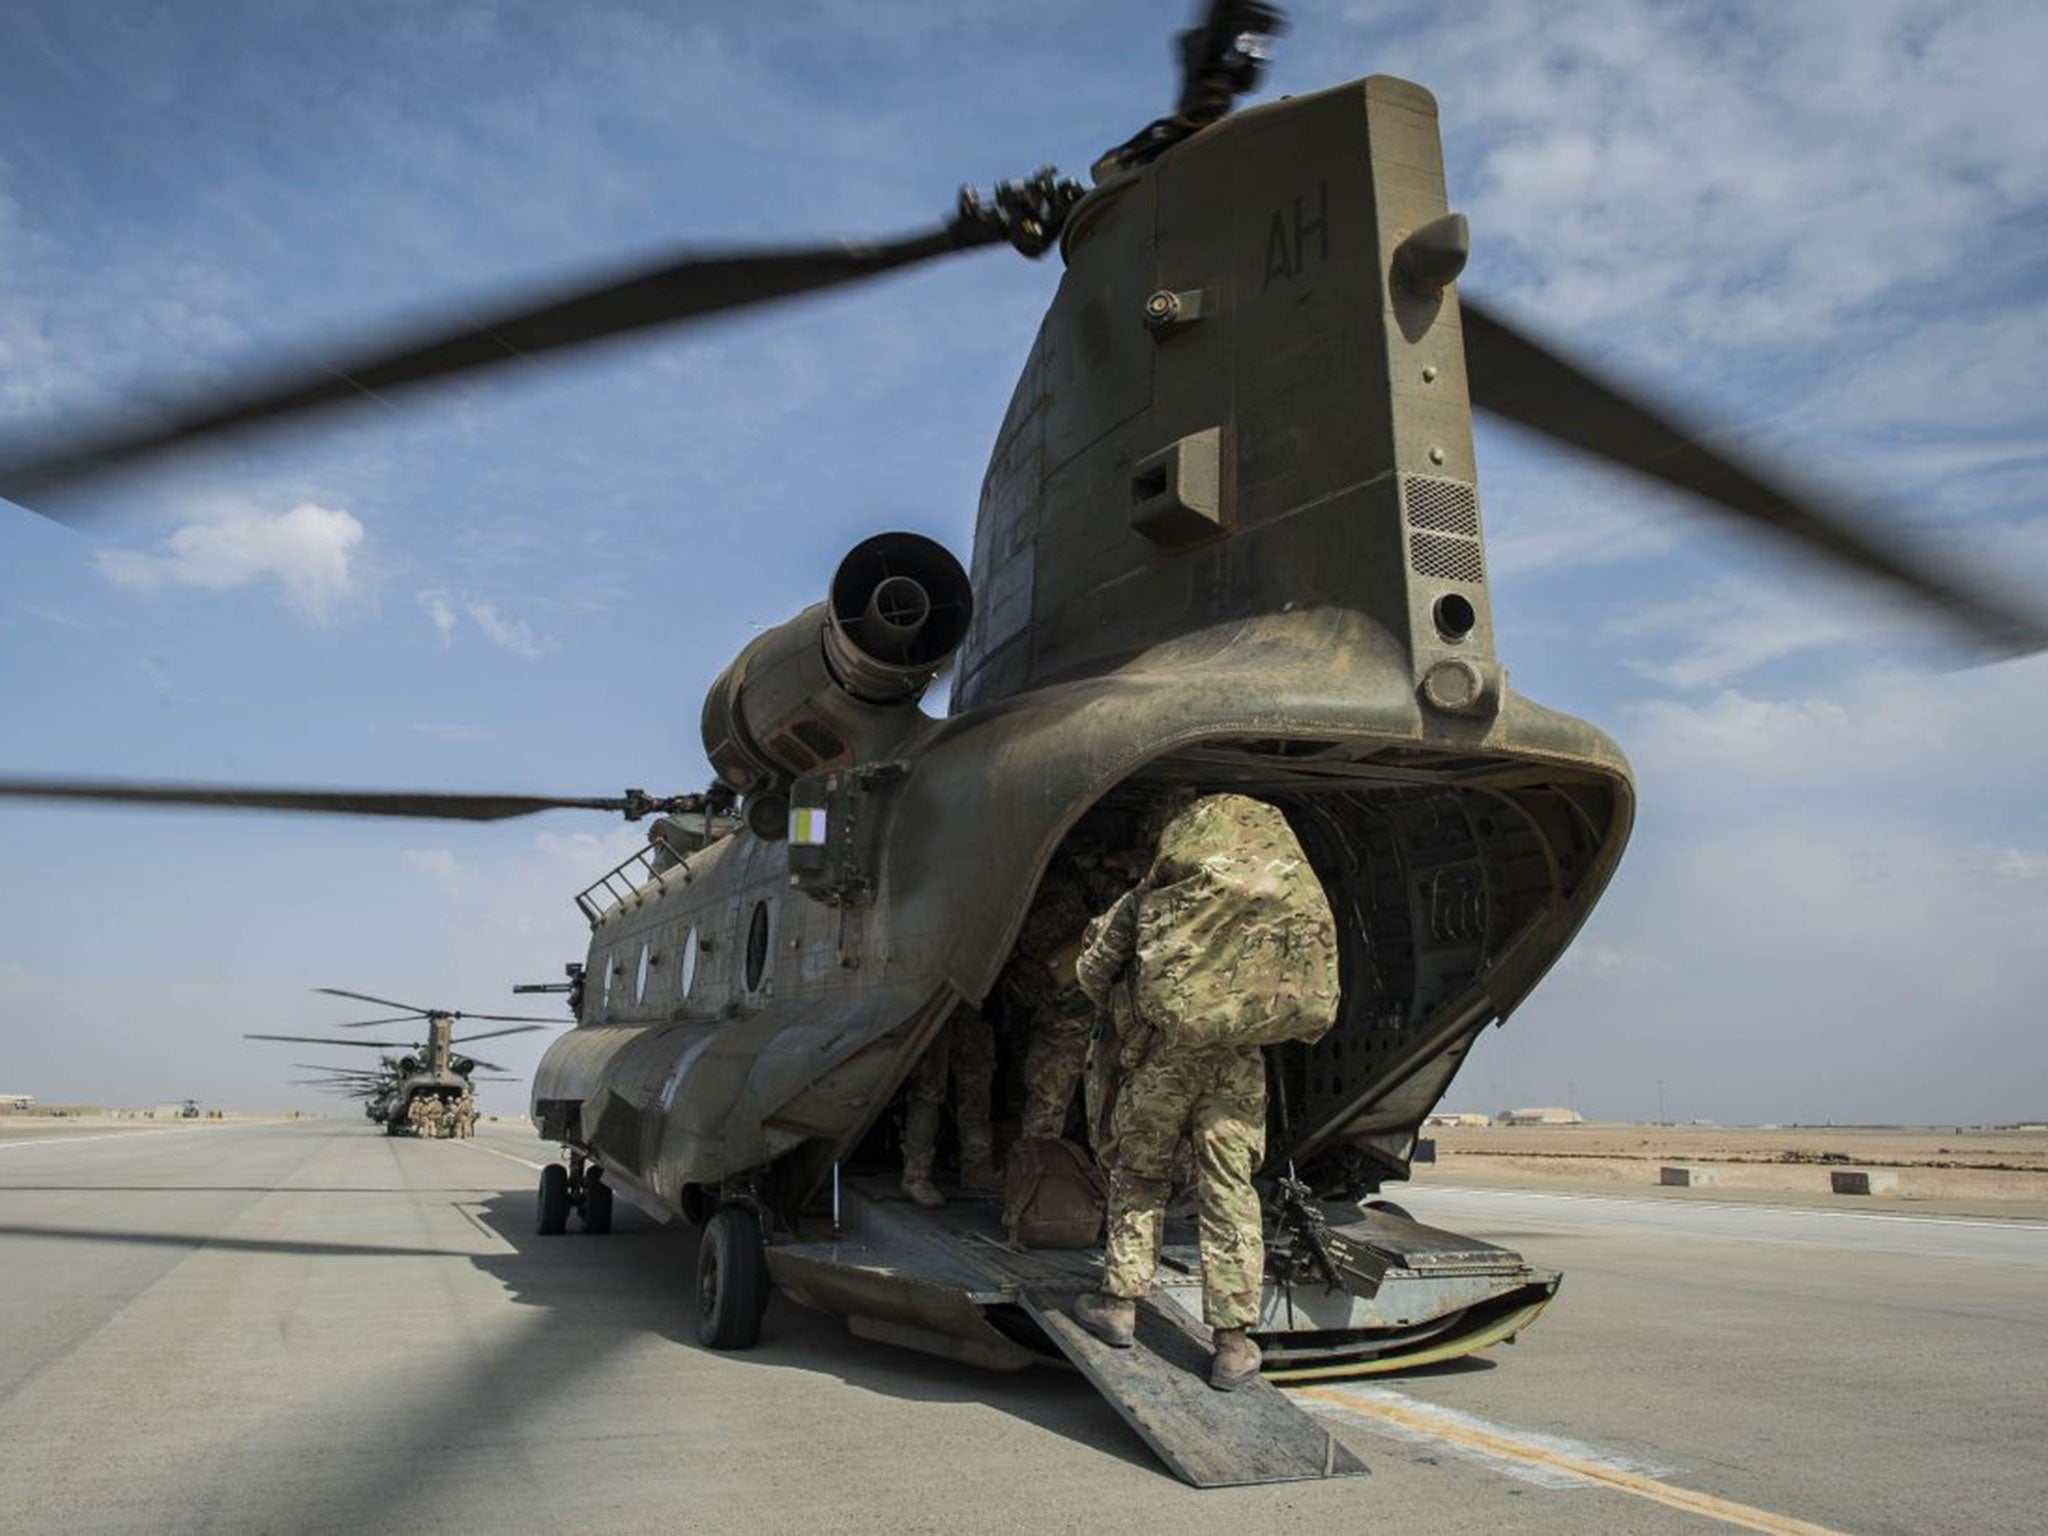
x: 1549, y: 1461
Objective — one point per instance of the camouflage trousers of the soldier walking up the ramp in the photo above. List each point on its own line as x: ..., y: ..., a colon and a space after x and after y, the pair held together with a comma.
x: 1218, y: 1101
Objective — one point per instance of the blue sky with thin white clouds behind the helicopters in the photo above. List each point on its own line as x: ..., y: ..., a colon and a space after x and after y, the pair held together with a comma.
x: 1828, y: 224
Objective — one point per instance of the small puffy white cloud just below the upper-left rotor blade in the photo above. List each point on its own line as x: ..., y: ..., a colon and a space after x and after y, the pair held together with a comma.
x: 308, y: 552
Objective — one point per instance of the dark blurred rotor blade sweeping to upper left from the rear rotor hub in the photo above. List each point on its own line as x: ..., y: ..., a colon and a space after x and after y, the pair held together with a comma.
x: 546, y: 321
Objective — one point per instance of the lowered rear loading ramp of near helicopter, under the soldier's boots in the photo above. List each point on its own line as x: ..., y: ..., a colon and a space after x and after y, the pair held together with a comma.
x: 1396, y: 1295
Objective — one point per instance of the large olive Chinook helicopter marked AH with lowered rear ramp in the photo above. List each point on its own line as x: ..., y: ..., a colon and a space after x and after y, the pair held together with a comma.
x: 1230, y: 540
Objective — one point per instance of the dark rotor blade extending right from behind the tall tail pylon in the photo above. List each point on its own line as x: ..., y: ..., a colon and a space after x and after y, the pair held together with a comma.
x: 1525, y: 382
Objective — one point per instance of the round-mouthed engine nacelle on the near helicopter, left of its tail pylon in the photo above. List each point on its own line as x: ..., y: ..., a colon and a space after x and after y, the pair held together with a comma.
x: 843, y: 679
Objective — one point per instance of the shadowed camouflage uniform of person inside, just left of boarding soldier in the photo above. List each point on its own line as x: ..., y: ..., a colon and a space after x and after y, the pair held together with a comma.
x: 1041, y: 992
